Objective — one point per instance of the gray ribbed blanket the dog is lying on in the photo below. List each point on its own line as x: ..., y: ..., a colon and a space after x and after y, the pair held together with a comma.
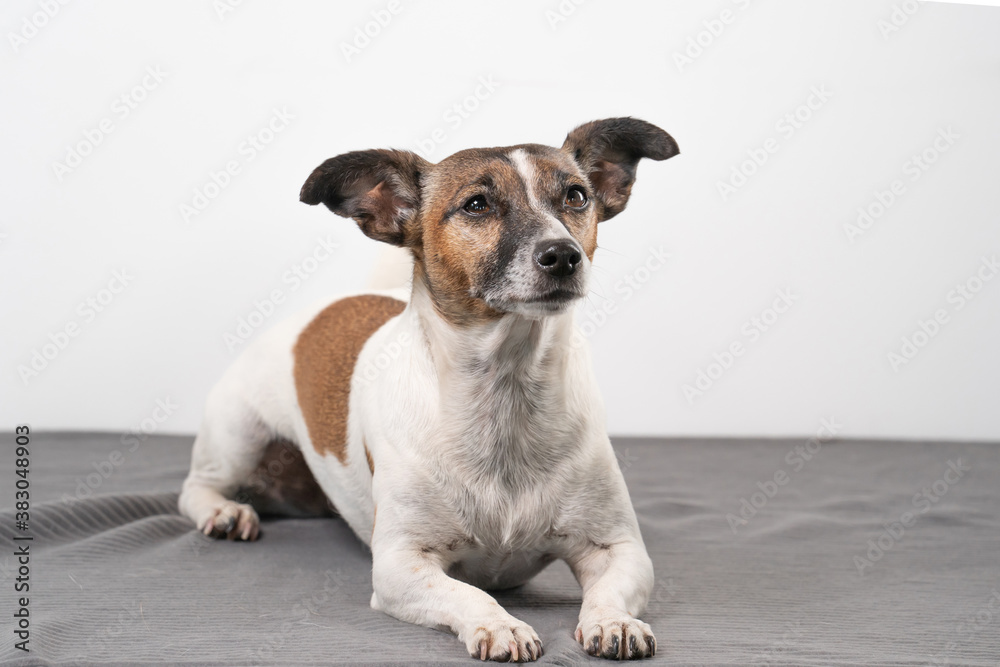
x: 857, y: 553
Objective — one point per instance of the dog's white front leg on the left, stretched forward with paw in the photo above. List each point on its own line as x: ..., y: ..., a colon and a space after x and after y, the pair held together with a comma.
x: 411, y: 584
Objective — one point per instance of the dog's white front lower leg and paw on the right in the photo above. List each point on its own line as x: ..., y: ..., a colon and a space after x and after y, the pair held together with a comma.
x: 617, y: 580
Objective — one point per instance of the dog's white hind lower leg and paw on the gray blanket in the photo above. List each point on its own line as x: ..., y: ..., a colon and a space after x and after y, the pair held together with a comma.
x: 226, y: 451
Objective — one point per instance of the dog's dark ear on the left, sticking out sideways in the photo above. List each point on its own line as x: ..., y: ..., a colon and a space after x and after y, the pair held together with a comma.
x: 380, y: 189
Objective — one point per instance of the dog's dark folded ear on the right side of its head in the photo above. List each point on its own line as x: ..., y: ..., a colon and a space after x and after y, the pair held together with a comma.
x: 608, y: 151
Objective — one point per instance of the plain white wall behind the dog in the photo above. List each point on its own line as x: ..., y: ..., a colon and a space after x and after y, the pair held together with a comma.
x: 161, y: 337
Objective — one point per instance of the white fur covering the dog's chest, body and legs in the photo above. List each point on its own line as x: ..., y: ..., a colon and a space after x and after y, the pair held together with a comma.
x: 491, y: 459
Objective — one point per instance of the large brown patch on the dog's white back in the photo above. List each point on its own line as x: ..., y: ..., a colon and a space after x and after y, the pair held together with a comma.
x: 325, y: 356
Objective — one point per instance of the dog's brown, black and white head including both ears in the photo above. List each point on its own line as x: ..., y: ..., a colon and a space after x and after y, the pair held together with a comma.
x: 495, y: 230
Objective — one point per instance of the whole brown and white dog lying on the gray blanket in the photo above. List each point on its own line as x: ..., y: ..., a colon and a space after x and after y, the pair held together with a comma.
x: 457, y: 431
